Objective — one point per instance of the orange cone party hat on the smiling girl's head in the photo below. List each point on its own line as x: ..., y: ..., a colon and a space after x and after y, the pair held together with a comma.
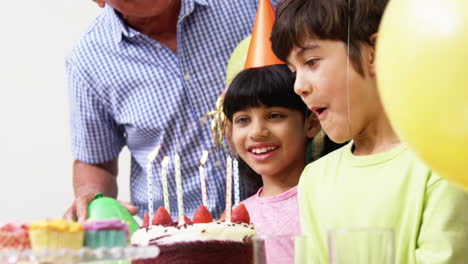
x: 260, y: 53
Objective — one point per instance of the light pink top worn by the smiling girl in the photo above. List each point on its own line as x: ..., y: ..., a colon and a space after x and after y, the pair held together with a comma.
x: 277, y: 219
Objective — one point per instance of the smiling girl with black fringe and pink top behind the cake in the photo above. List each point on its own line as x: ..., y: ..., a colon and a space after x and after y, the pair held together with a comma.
x: 269, y: 127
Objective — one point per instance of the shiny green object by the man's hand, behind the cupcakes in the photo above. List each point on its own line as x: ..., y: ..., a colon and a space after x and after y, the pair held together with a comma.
x: 106, y: 208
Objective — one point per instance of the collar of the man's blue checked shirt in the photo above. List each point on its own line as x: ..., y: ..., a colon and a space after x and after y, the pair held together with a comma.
x: 119, y: 29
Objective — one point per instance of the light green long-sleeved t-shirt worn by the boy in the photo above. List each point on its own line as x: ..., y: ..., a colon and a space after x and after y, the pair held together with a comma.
x: 395, y: 190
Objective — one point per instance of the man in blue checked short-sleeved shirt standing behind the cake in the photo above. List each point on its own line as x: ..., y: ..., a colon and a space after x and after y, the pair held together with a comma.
x: 144, y: 74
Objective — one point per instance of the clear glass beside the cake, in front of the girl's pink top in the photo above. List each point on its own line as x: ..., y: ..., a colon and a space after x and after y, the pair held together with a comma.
x: 283, y: 250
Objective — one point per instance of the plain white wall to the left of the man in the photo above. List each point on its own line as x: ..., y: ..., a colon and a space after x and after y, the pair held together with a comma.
x: 35, y: 158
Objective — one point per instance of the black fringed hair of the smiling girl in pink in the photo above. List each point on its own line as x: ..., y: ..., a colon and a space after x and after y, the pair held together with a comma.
x: 270, y: 86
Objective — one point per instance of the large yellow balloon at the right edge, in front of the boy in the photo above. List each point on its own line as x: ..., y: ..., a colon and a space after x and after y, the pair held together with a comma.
x: 422, y: 73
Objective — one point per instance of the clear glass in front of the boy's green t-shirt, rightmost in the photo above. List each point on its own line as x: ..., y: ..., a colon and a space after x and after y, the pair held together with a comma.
x: 361, y: 245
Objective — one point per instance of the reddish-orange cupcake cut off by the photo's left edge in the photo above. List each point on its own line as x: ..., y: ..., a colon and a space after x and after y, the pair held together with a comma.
x: 14, y: 237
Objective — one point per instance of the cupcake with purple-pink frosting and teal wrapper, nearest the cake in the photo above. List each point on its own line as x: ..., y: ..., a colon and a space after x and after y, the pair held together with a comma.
x: 106, y: 233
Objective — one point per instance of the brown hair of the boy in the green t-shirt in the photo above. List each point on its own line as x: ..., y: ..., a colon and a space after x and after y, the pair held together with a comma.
x: 296, y: 20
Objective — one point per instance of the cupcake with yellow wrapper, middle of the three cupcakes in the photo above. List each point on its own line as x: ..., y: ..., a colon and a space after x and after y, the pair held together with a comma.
x: 56, y: 234
